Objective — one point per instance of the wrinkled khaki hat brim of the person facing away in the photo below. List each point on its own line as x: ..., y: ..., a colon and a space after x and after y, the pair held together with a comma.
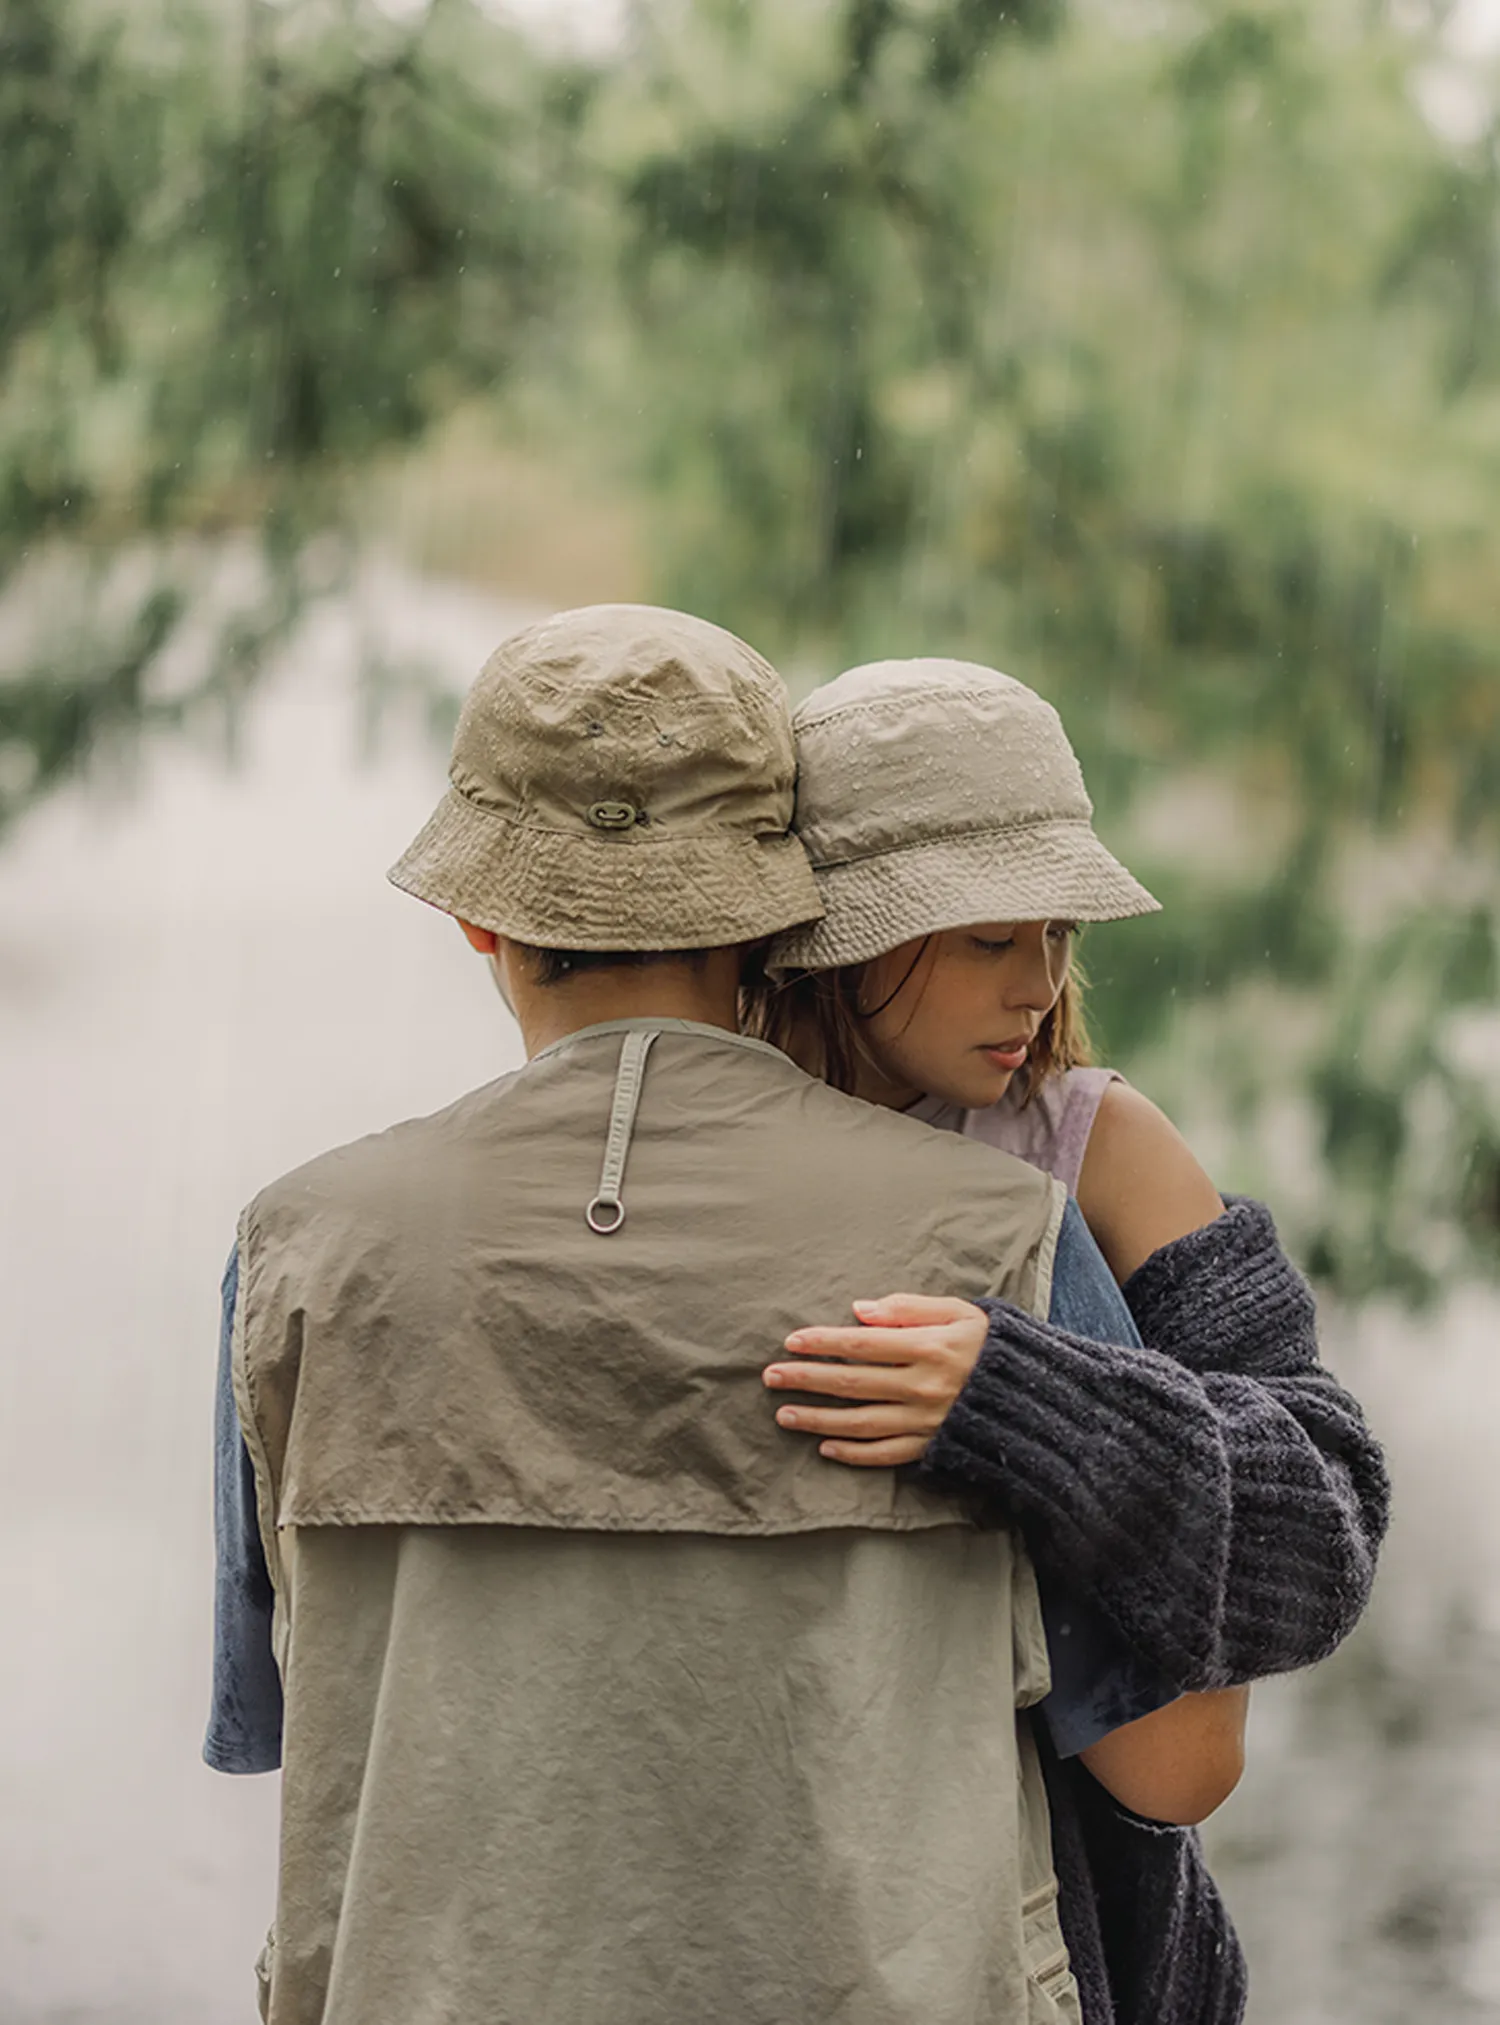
x: 560, y: 890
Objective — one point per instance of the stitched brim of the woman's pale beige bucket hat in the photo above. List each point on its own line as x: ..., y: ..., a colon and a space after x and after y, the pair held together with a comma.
x: 1037, y: 872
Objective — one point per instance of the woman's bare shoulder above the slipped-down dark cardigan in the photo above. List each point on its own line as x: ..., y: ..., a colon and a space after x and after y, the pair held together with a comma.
x: 1141, y: 1186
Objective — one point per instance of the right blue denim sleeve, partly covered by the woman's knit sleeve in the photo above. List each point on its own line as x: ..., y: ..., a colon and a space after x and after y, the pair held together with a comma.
x: 1098, y: 1684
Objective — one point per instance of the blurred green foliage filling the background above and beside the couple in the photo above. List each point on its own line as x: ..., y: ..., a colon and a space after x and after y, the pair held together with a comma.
x: 1149, y: 353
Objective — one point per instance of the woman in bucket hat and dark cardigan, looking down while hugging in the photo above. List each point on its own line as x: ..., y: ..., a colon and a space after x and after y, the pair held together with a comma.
x: 1224, y: 1502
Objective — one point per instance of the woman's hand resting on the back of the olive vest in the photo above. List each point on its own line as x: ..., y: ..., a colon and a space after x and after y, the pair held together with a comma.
x: 908, y: 1364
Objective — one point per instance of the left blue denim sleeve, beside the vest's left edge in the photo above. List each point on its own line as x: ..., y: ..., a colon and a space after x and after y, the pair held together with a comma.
x: 246, y: 1714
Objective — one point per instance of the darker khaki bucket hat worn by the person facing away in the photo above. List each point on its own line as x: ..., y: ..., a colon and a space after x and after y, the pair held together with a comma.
x: 622, y: 779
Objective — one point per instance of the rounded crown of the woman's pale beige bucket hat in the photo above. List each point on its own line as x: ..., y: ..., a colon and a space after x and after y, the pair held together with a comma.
x: 902, y: 754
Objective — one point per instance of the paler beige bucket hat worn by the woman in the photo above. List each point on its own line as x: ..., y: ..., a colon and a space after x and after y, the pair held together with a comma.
x: 934, y: 795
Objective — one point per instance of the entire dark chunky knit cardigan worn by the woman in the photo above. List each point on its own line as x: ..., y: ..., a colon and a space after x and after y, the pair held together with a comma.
x: 1220, y: 1500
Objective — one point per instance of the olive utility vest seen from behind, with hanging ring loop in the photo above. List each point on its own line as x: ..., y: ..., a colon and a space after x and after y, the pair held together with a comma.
x: 608, y: 1702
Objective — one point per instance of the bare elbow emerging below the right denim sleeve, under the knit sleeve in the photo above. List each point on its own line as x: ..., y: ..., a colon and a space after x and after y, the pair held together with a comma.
x: 1179, y: 1763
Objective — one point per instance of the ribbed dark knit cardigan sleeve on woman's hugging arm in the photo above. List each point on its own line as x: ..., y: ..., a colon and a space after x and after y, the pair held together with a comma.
x: 1216, y: 1495
